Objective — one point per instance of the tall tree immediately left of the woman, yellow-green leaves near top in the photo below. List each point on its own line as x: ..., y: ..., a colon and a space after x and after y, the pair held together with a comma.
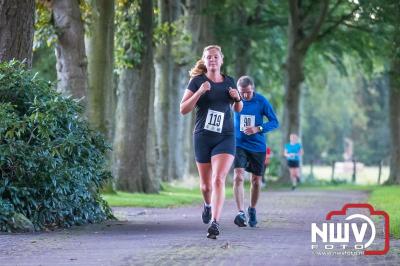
x: 174, y: 59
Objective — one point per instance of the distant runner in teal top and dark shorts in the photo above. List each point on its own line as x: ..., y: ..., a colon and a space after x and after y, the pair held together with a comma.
x: 293, y: 153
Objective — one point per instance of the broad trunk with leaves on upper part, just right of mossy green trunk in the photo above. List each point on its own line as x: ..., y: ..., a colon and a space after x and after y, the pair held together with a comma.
x: 131, y: 140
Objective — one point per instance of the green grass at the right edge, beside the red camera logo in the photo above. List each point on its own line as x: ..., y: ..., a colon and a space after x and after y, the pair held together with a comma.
x: 387, y: 198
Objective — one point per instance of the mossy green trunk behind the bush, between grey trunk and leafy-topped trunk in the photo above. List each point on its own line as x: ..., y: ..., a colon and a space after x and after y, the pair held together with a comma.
x: 100, y: 49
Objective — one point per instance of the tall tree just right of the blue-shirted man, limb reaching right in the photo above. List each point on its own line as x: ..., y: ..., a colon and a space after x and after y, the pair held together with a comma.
x: 308, y: 23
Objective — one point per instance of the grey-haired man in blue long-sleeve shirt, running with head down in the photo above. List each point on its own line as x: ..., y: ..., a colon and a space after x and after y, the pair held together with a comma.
x: 250, y: 146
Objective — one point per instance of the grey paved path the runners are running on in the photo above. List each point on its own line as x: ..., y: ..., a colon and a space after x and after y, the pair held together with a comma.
x: 177, y: 237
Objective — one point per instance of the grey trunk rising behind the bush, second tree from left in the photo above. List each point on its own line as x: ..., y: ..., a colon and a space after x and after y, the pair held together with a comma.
x: 70, y: 49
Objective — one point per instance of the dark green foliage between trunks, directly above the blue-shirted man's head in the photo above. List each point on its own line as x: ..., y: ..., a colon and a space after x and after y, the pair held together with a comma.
x: 260, y: 30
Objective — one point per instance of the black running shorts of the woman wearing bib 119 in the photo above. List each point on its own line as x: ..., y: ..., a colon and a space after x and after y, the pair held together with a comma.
x: 206, y: 146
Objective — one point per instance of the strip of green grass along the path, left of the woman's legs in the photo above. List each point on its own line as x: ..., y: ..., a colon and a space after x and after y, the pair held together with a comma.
x: 170, y: 196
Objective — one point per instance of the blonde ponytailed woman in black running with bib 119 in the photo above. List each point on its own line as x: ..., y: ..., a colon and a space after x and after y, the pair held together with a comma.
x: 213, y: 96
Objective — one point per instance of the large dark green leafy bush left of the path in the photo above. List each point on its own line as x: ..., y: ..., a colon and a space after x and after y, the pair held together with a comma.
x: 51, y: 164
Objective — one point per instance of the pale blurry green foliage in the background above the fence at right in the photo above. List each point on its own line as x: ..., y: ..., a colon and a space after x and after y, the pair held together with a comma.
x: 354, y: 107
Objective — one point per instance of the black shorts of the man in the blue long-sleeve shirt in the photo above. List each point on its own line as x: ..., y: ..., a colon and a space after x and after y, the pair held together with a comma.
x: 252, y: 162
